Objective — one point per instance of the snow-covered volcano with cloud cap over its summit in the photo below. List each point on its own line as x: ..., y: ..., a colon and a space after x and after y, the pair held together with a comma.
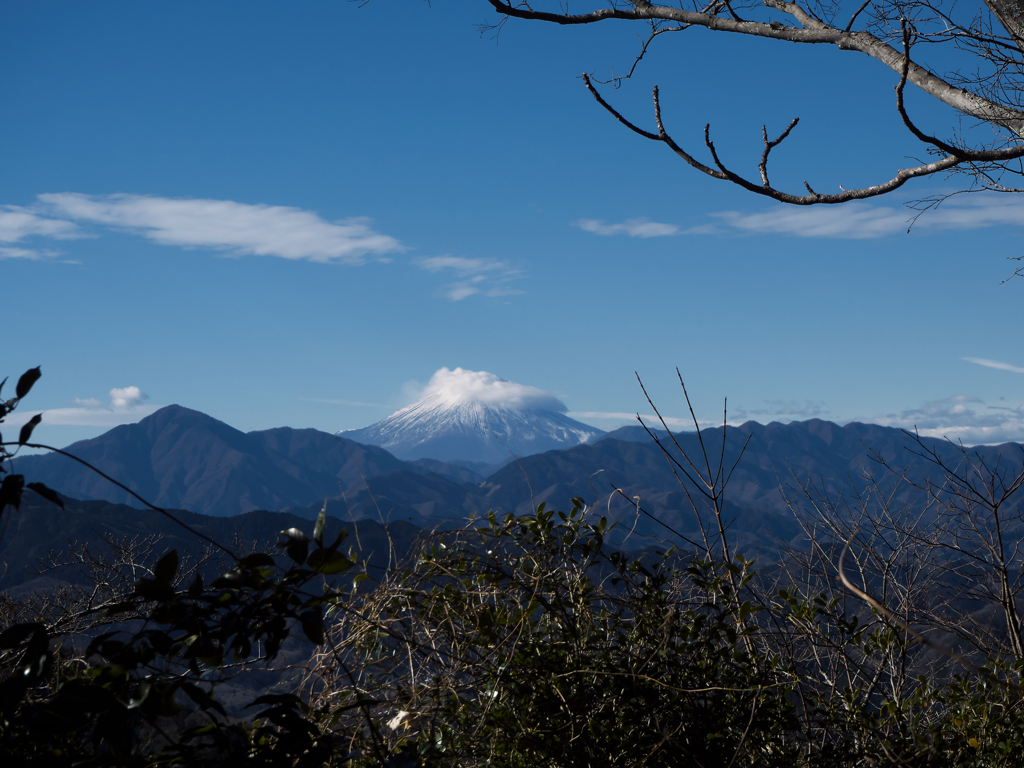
x: 474, y: 416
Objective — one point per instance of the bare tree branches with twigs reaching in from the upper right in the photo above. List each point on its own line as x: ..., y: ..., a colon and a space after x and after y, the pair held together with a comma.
x: 996, y: 97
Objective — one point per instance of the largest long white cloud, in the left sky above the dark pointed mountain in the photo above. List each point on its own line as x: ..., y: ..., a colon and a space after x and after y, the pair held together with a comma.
x: 236, y: 229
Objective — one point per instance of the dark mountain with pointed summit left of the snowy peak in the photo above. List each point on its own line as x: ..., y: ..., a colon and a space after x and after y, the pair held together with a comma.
x: 187, y: 460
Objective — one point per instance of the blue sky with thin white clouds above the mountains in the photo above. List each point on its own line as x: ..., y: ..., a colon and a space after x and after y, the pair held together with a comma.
x: 294, y: 215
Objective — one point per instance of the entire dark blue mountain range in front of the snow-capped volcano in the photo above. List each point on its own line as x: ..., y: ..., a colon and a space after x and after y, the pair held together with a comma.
x: 179, y: 458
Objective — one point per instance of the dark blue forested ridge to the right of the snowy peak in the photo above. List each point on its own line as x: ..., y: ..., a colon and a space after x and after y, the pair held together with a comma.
x: 778, y: 461
